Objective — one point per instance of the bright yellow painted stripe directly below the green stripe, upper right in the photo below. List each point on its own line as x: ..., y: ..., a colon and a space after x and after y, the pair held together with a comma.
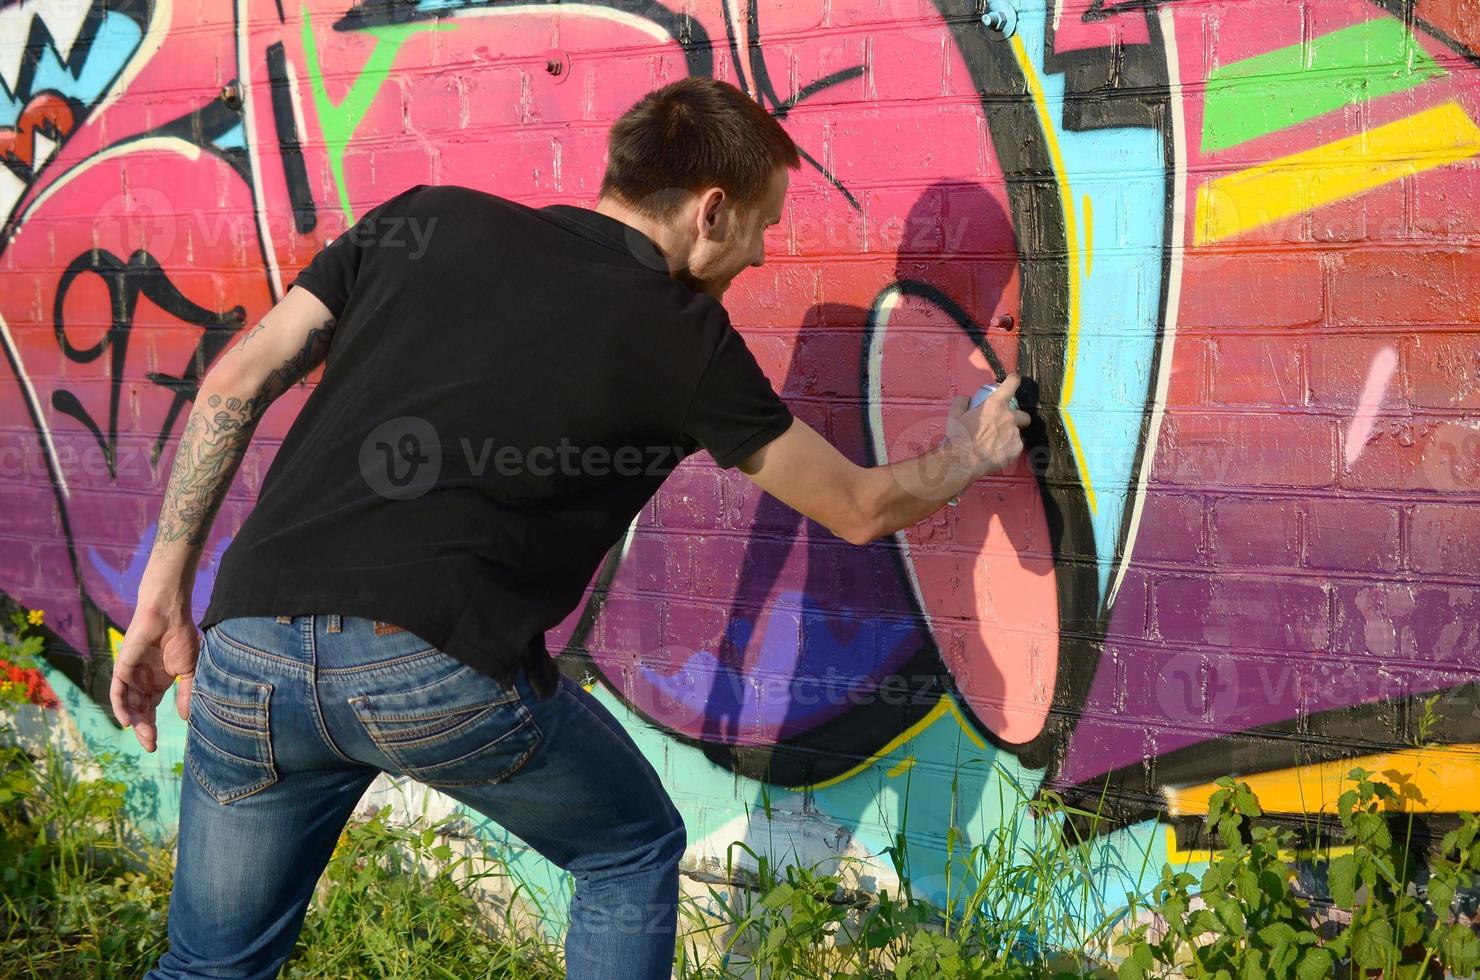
x: 1309, y: 180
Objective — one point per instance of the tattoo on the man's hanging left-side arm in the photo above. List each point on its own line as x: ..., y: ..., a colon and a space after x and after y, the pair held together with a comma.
x: 217, y: 439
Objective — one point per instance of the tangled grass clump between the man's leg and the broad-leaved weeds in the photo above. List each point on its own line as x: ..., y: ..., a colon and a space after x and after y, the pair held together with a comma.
x: 1012, y: 904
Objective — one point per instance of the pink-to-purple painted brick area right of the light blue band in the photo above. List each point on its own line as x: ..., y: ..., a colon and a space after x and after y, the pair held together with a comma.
x: 1287, y: 338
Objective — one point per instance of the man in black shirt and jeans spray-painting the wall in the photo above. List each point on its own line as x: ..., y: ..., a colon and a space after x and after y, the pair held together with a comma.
x: 497, y: 408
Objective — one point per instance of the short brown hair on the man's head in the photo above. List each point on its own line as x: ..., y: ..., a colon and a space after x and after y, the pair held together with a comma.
x: 690, y: 135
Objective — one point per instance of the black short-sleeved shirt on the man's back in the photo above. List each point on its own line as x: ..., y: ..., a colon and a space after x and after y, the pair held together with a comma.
x: 505, y: 390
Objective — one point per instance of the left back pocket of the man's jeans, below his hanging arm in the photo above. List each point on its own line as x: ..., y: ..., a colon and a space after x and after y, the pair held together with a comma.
x: 229, y: 744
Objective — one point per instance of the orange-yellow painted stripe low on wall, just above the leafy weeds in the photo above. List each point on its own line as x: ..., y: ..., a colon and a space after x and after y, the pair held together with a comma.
x: 1447, y: 778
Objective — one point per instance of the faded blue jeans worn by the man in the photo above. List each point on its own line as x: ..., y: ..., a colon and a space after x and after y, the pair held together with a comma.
x: 291, y: 720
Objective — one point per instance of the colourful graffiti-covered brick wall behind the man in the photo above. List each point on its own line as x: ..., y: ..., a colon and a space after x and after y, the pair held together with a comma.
x: 1229, y: 245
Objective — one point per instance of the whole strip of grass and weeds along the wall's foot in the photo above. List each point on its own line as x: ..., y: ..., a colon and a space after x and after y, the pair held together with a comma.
x: 84, y: 895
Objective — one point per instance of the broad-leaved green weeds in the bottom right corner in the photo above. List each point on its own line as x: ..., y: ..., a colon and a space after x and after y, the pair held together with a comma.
x: 1245, y: 922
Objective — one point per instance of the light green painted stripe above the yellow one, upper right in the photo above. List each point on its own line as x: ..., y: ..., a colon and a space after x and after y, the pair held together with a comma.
x: 1269, y: 93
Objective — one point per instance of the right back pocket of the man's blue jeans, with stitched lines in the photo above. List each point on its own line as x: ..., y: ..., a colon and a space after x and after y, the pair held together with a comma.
x: 464, y: 729
